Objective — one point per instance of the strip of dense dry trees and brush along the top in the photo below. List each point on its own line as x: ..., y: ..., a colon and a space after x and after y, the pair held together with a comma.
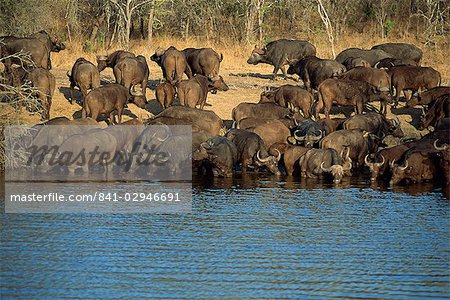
x: 101, y: 23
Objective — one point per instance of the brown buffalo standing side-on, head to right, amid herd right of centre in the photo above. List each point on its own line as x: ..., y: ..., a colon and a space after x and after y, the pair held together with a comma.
x: 344, y: 93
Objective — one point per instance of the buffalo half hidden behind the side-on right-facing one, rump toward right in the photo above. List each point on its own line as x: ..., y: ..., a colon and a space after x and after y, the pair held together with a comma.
x: 375, y: 77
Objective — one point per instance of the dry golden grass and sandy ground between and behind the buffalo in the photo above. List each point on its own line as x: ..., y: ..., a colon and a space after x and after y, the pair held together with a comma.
x: 245, y: 81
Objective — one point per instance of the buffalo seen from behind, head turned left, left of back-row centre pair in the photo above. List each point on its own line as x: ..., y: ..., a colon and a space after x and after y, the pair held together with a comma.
x: 173, y: 64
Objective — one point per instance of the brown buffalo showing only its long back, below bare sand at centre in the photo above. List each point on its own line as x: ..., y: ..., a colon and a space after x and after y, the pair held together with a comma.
x: 261, y: 111
